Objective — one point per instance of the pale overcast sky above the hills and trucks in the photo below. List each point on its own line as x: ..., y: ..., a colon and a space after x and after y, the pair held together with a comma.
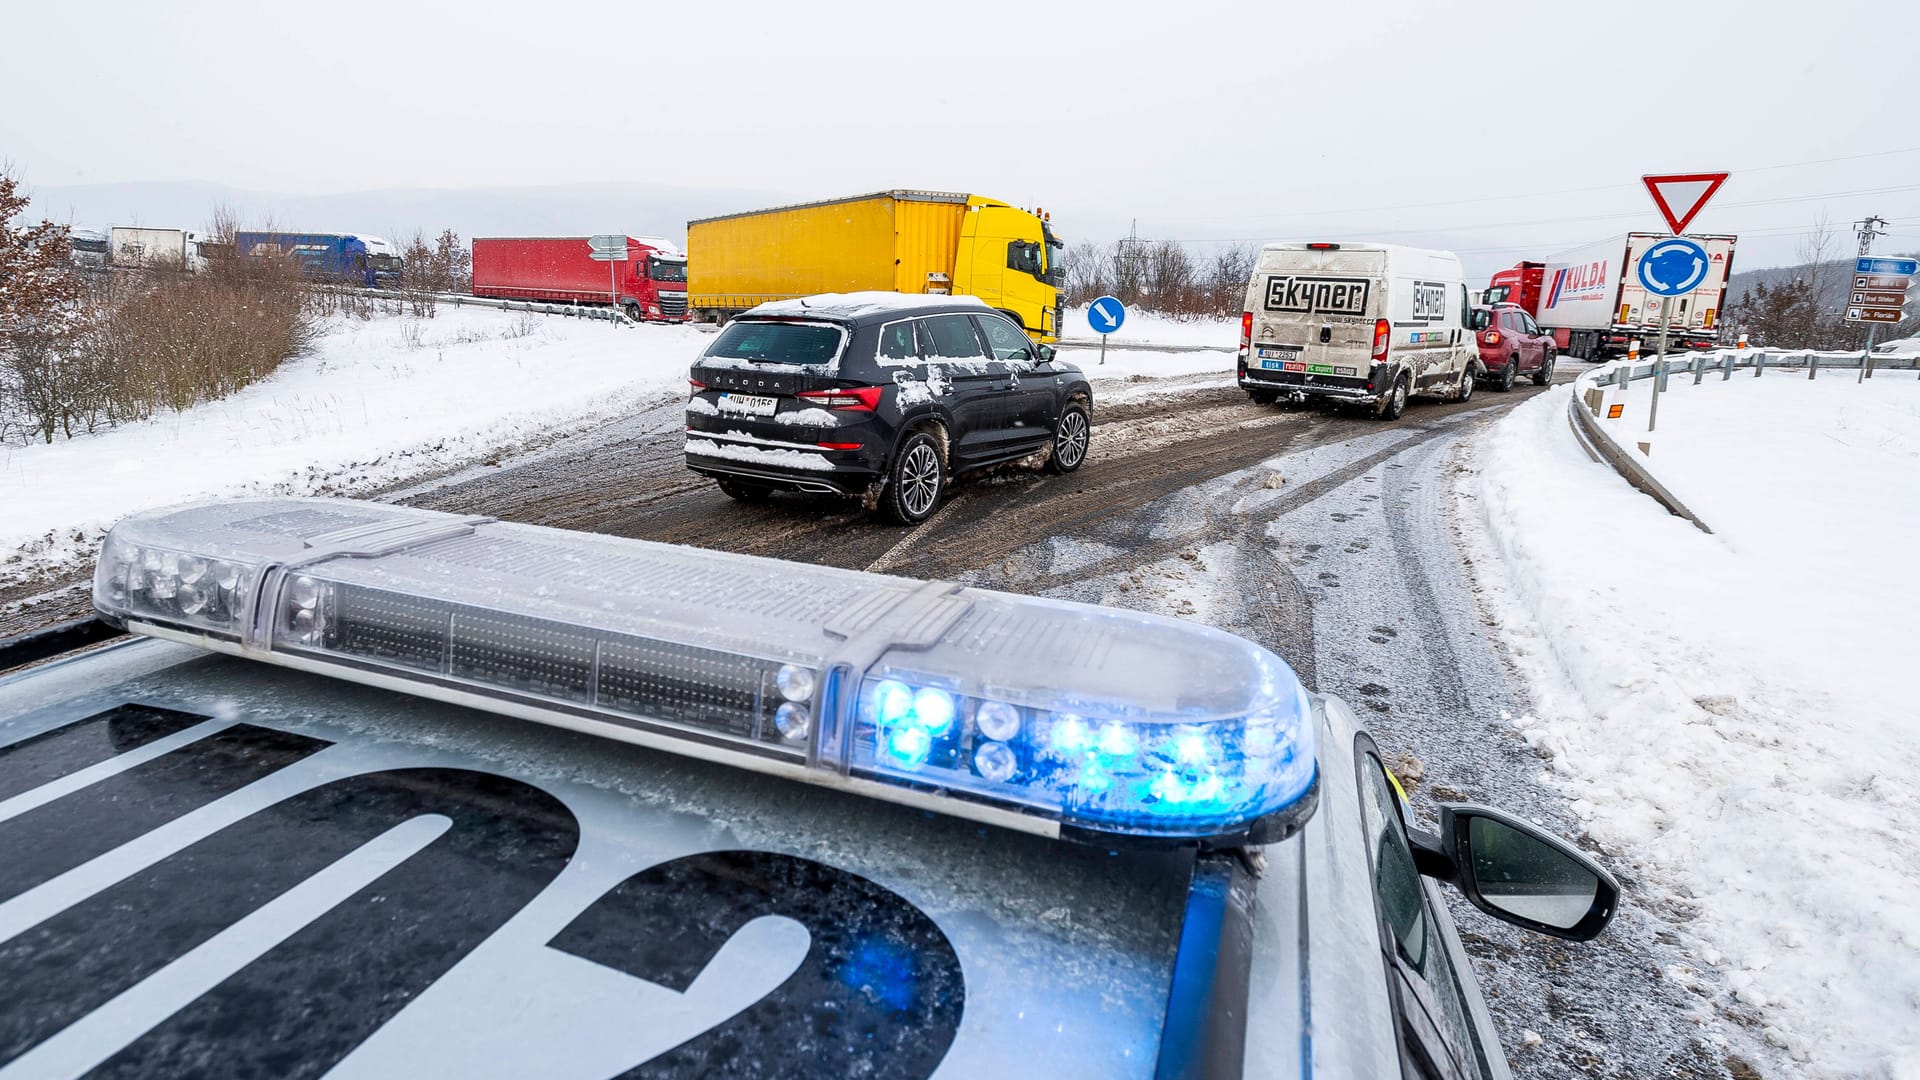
x: 1499, y: 132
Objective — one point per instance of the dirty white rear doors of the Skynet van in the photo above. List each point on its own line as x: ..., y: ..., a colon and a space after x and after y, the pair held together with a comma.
x: 1314, y: 312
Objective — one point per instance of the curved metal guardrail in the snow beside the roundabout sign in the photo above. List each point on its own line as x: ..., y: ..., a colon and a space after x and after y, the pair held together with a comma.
x: 1600, y: 437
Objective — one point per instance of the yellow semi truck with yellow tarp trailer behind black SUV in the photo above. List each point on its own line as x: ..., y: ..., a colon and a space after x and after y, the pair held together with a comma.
x: 901, y: 241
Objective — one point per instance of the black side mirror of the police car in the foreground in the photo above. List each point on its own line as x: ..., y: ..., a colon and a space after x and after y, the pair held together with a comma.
x: 1520, y: 873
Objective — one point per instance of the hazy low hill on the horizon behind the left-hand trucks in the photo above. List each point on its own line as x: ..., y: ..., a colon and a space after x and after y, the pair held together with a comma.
x: 558, y: 210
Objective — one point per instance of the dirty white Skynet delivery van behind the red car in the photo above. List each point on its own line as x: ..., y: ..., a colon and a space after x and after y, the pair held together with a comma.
x: 1366, y: 324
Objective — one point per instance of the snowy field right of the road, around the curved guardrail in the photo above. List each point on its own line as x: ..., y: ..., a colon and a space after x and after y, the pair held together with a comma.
x: 1729, y: 714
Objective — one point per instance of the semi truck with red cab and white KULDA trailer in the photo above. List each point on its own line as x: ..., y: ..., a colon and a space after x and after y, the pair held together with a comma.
x: 1593, y: 303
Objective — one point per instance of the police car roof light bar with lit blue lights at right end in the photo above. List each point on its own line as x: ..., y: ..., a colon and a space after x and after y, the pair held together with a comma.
x: 1044, y: 716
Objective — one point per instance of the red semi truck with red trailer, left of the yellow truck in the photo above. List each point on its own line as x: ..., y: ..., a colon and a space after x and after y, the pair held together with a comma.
x: 560, y: 270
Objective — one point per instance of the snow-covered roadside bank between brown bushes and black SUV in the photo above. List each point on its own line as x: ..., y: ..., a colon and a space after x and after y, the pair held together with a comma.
x: 375, y: 403
